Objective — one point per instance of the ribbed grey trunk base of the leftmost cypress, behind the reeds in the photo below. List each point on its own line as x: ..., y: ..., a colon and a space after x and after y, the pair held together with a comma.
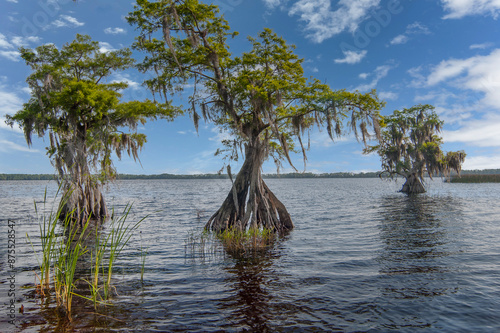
x: 83, y: 201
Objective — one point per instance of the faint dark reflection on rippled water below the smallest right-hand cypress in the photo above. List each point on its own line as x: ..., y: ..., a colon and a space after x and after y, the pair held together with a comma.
x: 416, y: 243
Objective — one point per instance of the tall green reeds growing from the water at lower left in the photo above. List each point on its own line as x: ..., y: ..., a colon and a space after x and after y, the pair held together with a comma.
x: 64, y: 244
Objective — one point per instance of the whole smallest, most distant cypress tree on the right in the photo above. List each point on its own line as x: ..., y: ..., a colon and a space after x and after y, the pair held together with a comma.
x: 411, y: 147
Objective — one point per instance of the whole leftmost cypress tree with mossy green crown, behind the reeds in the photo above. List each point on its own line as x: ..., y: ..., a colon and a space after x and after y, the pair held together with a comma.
x: 81, y: 112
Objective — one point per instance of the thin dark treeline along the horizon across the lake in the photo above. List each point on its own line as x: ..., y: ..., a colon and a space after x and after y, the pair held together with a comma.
x: 470, y: 176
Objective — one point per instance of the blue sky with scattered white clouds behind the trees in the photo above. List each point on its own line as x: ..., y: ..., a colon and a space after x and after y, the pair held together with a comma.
x: 442, y: 52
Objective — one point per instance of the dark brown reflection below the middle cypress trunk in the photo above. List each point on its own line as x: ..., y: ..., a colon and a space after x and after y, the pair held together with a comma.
x: 249, y: 300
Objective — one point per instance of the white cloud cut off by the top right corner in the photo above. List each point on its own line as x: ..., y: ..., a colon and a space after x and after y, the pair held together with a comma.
x: 459, y: 8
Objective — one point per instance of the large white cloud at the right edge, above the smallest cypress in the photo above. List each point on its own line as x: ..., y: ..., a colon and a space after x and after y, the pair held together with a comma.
x: 479, y: 73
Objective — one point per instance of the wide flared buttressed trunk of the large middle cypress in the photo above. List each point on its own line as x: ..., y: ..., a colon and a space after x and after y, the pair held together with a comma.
x: 250, y: 203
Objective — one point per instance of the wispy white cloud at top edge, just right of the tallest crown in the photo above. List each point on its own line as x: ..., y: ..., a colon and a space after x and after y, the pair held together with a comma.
x: 323, y: 22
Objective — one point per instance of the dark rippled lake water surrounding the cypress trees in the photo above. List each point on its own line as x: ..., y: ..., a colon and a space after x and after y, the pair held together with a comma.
x: 363, y: 258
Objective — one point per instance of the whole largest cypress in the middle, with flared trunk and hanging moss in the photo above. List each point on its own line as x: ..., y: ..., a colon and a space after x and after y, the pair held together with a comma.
x: 261, y: 97
